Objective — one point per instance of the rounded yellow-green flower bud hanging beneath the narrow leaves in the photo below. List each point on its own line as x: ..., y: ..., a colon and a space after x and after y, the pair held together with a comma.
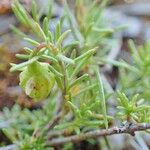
x: 36, y: 80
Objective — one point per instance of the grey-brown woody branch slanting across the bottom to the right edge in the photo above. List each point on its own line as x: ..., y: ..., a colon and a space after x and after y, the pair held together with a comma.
x: 130, y: 129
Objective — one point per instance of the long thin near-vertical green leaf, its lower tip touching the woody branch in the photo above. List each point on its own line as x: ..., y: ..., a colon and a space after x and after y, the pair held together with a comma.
x: 102, y: 97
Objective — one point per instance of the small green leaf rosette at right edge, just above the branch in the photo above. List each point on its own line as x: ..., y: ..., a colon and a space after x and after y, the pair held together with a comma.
x: 133, y: 110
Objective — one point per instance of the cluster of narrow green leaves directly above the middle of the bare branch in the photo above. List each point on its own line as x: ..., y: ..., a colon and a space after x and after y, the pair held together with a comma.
x: 87, y: 116
